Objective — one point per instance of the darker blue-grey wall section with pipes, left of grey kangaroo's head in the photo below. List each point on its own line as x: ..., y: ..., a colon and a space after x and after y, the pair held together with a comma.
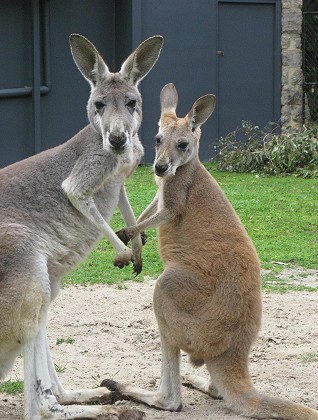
x: 42, y: 94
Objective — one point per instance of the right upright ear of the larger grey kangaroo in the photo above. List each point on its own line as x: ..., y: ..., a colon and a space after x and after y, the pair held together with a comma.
x: 141, y: 61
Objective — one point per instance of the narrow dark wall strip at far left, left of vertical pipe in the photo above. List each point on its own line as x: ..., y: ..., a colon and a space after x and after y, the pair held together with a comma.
x: 15, y: 79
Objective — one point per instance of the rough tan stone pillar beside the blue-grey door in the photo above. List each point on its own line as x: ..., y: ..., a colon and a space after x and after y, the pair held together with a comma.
x: 292, y: 76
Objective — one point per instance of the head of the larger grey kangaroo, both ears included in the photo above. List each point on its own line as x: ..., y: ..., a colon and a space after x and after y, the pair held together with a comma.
x: 114, y: 106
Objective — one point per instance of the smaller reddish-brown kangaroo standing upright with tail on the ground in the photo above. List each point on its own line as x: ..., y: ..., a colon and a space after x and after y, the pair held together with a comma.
x: 208, y: 299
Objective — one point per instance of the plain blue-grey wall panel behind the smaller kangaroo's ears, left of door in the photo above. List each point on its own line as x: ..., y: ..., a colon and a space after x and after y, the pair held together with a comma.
x: 187, y: 59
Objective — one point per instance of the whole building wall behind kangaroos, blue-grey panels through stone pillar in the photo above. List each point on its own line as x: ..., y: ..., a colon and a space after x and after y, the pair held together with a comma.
x: 234, y: 53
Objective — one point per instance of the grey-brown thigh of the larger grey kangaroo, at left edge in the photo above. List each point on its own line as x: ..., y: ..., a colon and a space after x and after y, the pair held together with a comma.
x: 20, y: 295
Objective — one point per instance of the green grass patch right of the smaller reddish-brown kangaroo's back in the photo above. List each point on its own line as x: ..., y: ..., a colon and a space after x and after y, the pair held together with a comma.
x: 279, y: 213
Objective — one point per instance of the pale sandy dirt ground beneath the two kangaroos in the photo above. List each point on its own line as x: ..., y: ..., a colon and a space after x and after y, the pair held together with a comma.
x: 115, y: 336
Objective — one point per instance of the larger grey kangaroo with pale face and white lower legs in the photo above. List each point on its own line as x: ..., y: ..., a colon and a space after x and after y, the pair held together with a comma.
x: 54, y: 207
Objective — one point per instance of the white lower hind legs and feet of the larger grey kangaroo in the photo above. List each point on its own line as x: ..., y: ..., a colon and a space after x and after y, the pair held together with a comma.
x: 44, y: 395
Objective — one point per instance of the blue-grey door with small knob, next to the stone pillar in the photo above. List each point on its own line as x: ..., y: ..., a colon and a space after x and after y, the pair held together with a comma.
x: 248, y: 51
